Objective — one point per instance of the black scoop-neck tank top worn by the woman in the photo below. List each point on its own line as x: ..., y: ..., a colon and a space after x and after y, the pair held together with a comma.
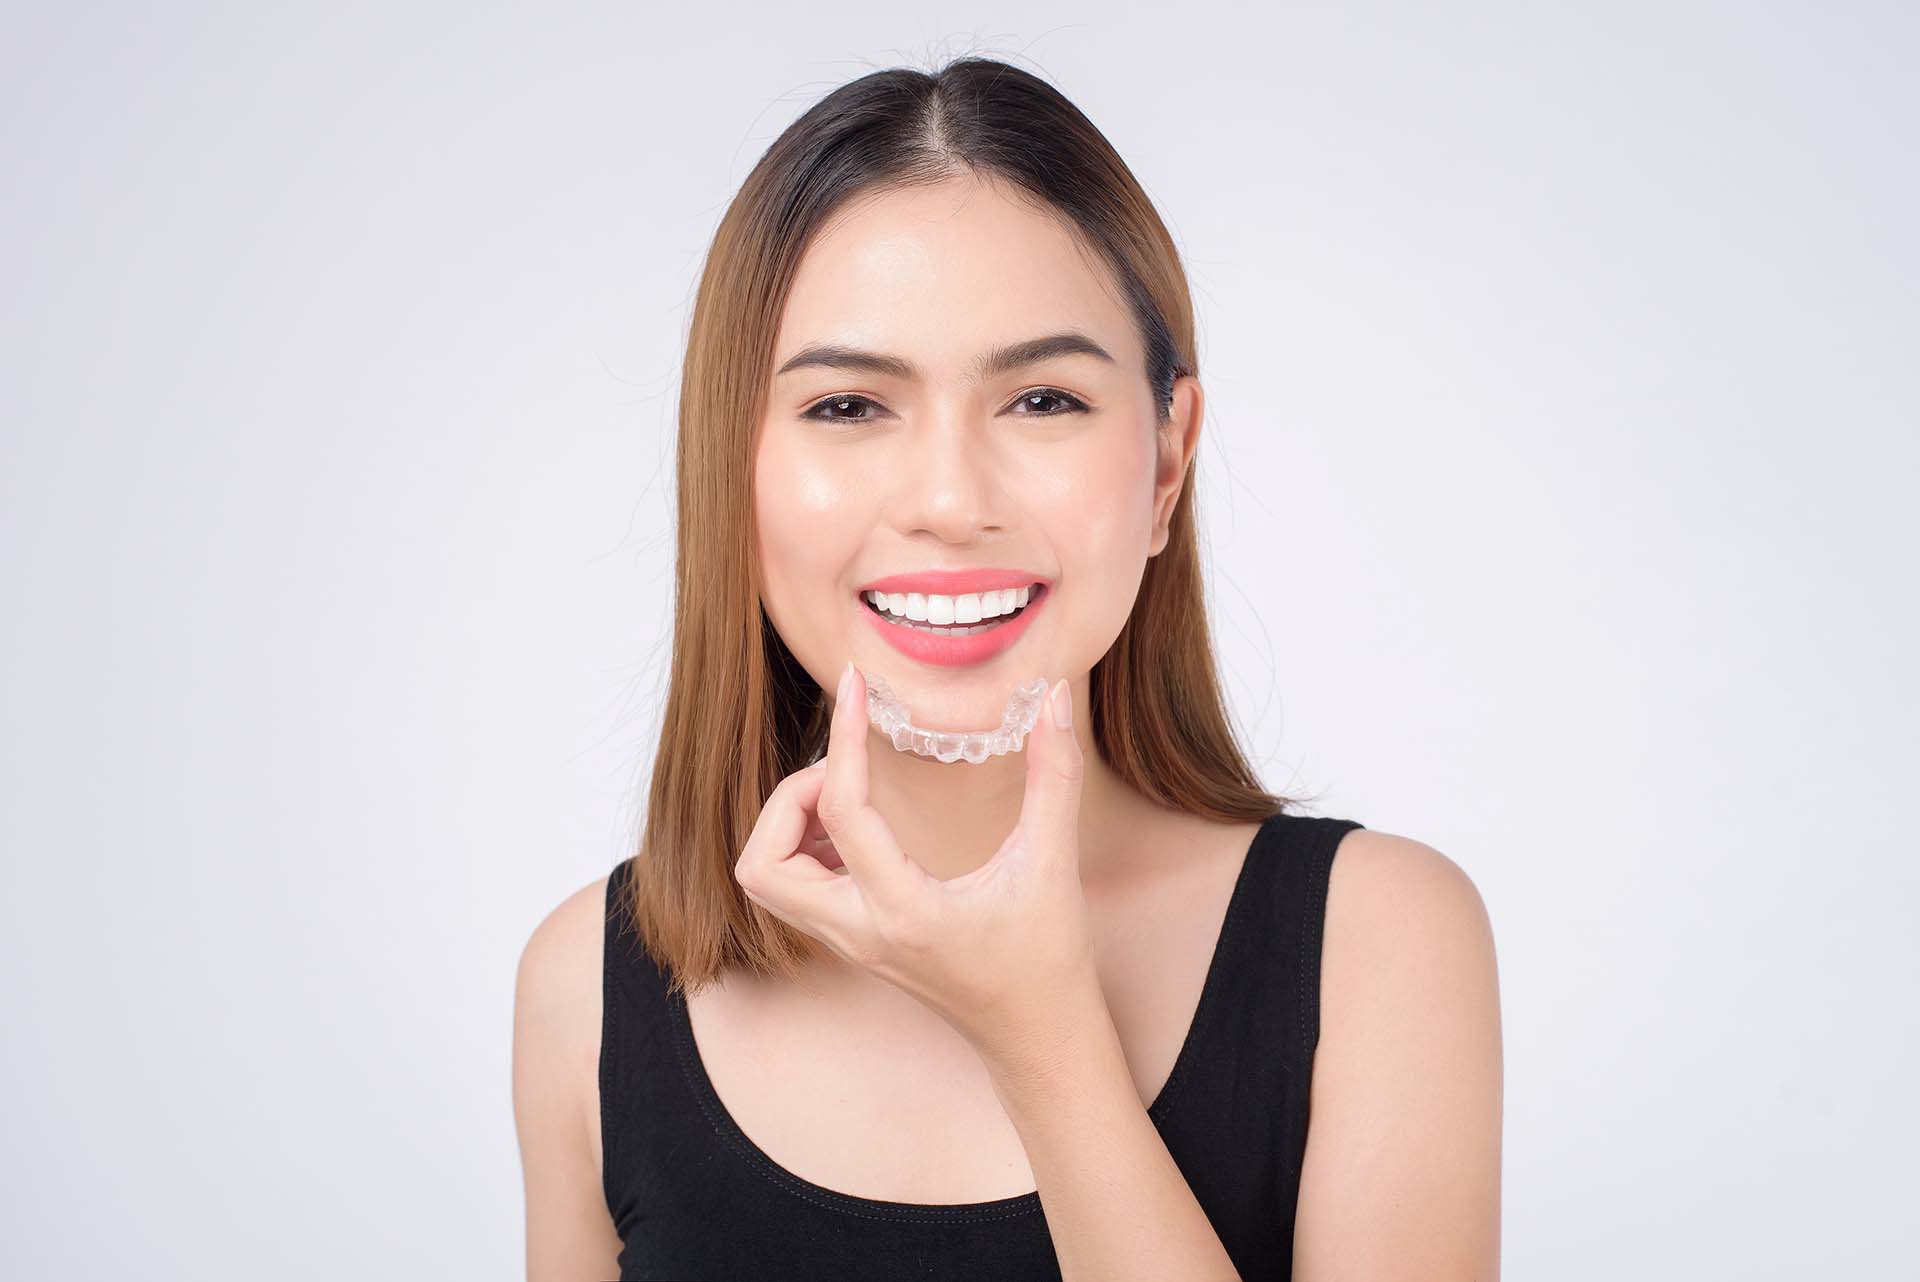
x: 694, y: 1199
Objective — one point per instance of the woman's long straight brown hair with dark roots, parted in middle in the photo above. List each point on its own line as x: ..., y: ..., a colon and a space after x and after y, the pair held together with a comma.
x: 740, y: 711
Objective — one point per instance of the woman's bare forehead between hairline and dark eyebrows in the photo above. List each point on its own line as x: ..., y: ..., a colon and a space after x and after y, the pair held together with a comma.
x: 940, y: 273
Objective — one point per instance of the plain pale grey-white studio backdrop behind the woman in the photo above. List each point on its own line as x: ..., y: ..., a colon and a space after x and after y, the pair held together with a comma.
x: 1558, y: 492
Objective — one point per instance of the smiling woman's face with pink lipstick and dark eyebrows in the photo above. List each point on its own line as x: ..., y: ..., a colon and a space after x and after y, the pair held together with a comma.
x: 1053, y: 469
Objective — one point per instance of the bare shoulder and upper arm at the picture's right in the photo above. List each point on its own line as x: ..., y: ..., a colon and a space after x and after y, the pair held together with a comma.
x: 1403, y: 1164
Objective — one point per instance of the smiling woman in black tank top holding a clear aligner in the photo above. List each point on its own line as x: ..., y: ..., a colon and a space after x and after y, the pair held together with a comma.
x: 861, y: 1012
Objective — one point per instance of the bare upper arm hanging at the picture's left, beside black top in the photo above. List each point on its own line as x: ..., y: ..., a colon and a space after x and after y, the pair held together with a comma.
x: 556, y: 1093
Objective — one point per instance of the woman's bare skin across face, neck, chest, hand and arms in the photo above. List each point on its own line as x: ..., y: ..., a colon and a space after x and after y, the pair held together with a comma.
x: 1403, y: 1166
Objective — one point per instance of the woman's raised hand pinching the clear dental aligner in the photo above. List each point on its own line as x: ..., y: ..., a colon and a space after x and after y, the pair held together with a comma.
x: 999, y: 951
